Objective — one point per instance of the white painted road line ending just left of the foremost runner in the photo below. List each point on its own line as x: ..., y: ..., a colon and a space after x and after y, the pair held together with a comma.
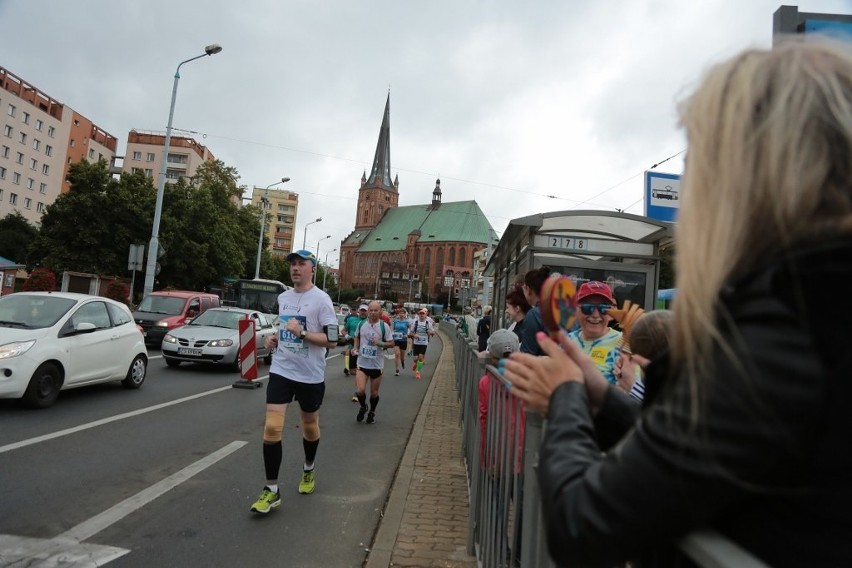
x: 96, y: 524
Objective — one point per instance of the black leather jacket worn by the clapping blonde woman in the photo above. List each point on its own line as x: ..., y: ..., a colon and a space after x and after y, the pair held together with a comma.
x: 767, y: 463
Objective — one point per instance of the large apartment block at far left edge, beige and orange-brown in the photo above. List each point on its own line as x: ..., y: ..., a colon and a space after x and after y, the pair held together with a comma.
x: 41, y: 137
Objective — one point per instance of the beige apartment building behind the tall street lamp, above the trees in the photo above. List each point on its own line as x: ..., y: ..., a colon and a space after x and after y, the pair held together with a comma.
x: 145, y: 153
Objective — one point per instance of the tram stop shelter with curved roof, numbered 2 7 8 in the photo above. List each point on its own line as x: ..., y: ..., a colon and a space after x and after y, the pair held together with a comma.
x: 620, y: 249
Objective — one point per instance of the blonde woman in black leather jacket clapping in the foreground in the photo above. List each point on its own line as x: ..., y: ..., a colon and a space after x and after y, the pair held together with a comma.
x: 750, y: 434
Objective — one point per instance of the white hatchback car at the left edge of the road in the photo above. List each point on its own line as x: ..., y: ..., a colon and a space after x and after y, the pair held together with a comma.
x: 51, y: 341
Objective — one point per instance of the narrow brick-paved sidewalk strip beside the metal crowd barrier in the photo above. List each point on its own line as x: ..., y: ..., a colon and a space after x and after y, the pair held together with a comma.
x: 425, y: 522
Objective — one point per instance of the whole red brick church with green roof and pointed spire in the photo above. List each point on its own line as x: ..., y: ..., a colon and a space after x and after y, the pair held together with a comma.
x: 414, y: 253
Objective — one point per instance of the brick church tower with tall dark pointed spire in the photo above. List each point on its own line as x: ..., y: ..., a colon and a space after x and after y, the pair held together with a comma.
x: 378, y: 193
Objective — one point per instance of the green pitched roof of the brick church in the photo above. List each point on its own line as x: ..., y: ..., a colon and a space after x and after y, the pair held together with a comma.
x: 450, y: 222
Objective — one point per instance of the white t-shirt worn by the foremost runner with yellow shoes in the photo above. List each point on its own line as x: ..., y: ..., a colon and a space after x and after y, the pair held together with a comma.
x: 295, y: 358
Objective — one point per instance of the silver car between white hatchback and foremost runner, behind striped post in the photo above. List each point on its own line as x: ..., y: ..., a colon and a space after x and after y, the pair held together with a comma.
x: 213, y: 337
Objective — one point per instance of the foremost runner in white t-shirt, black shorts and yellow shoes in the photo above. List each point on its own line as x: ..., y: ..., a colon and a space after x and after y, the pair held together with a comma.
x: 306, y: 315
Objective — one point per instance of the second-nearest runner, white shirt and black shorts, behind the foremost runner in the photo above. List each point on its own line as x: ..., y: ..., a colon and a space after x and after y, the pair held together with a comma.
x: 372, y: 338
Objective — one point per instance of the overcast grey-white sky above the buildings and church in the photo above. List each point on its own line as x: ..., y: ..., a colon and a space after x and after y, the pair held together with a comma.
x: 508, y: 102
